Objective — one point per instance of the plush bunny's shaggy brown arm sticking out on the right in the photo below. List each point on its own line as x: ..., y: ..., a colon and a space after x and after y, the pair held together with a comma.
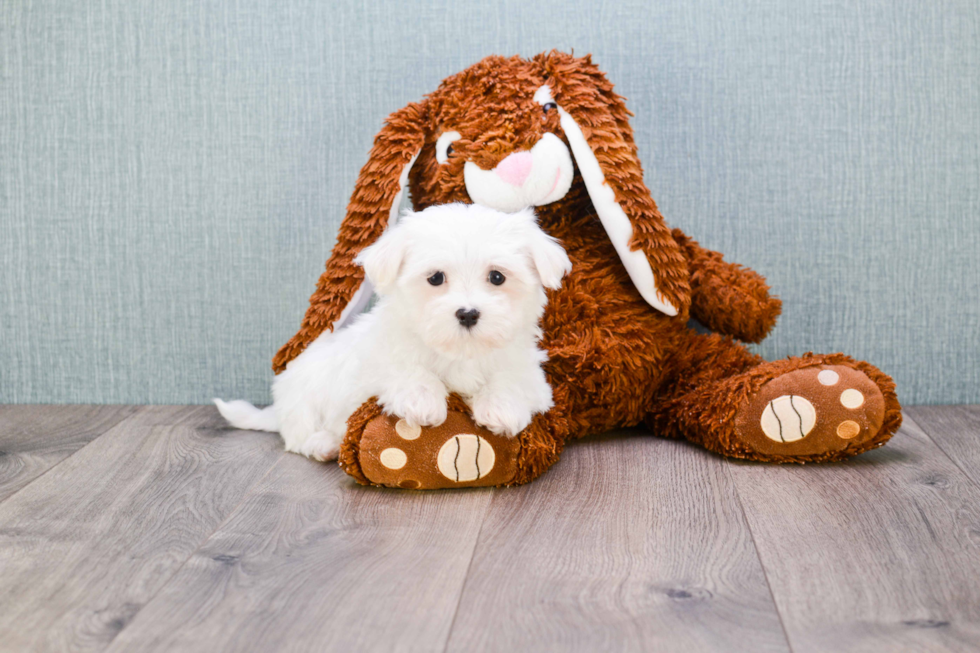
x: 726, y: 297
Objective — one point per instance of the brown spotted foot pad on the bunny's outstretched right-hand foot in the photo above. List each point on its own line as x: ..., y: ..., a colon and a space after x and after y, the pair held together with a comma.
x: 811, y: 411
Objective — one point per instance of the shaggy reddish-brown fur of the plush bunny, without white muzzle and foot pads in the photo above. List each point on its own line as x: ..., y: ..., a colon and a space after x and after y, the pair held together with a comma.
x: 614, y: 361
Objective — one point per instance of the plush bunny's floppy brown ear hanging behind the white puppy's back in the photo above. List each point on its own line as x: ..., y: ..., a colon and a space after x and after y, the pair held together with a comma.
x: 342, y: 291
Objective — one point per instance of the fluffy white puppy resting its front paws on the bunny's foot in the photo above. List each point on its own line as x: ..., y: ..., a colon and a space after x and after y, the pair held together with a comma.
x: 461, y: 295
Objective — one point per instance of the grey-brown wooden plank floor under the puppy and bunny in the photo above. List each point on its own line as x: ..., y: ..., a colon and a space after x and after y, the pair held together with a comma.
x: 158, y: 529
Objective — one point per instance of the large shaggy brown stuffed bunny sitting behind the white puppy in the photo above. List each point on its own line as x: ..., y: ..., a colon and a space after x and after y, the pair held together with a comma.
x: 504, y: 133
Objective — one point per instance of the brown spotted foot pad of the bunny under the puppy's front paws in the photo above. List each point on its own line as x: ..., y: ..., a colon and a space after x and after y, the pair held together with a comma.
x: 457, y: 453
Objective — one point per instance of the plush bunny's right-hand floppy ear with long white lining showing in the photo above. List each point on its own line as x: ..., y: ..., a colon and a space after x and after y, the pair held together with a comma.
x: 596, y: 123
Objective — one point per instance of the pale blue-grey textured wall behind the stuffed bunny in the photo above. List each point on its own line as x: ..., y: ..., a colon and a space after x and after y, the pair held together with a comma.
x: 172, y: 173
